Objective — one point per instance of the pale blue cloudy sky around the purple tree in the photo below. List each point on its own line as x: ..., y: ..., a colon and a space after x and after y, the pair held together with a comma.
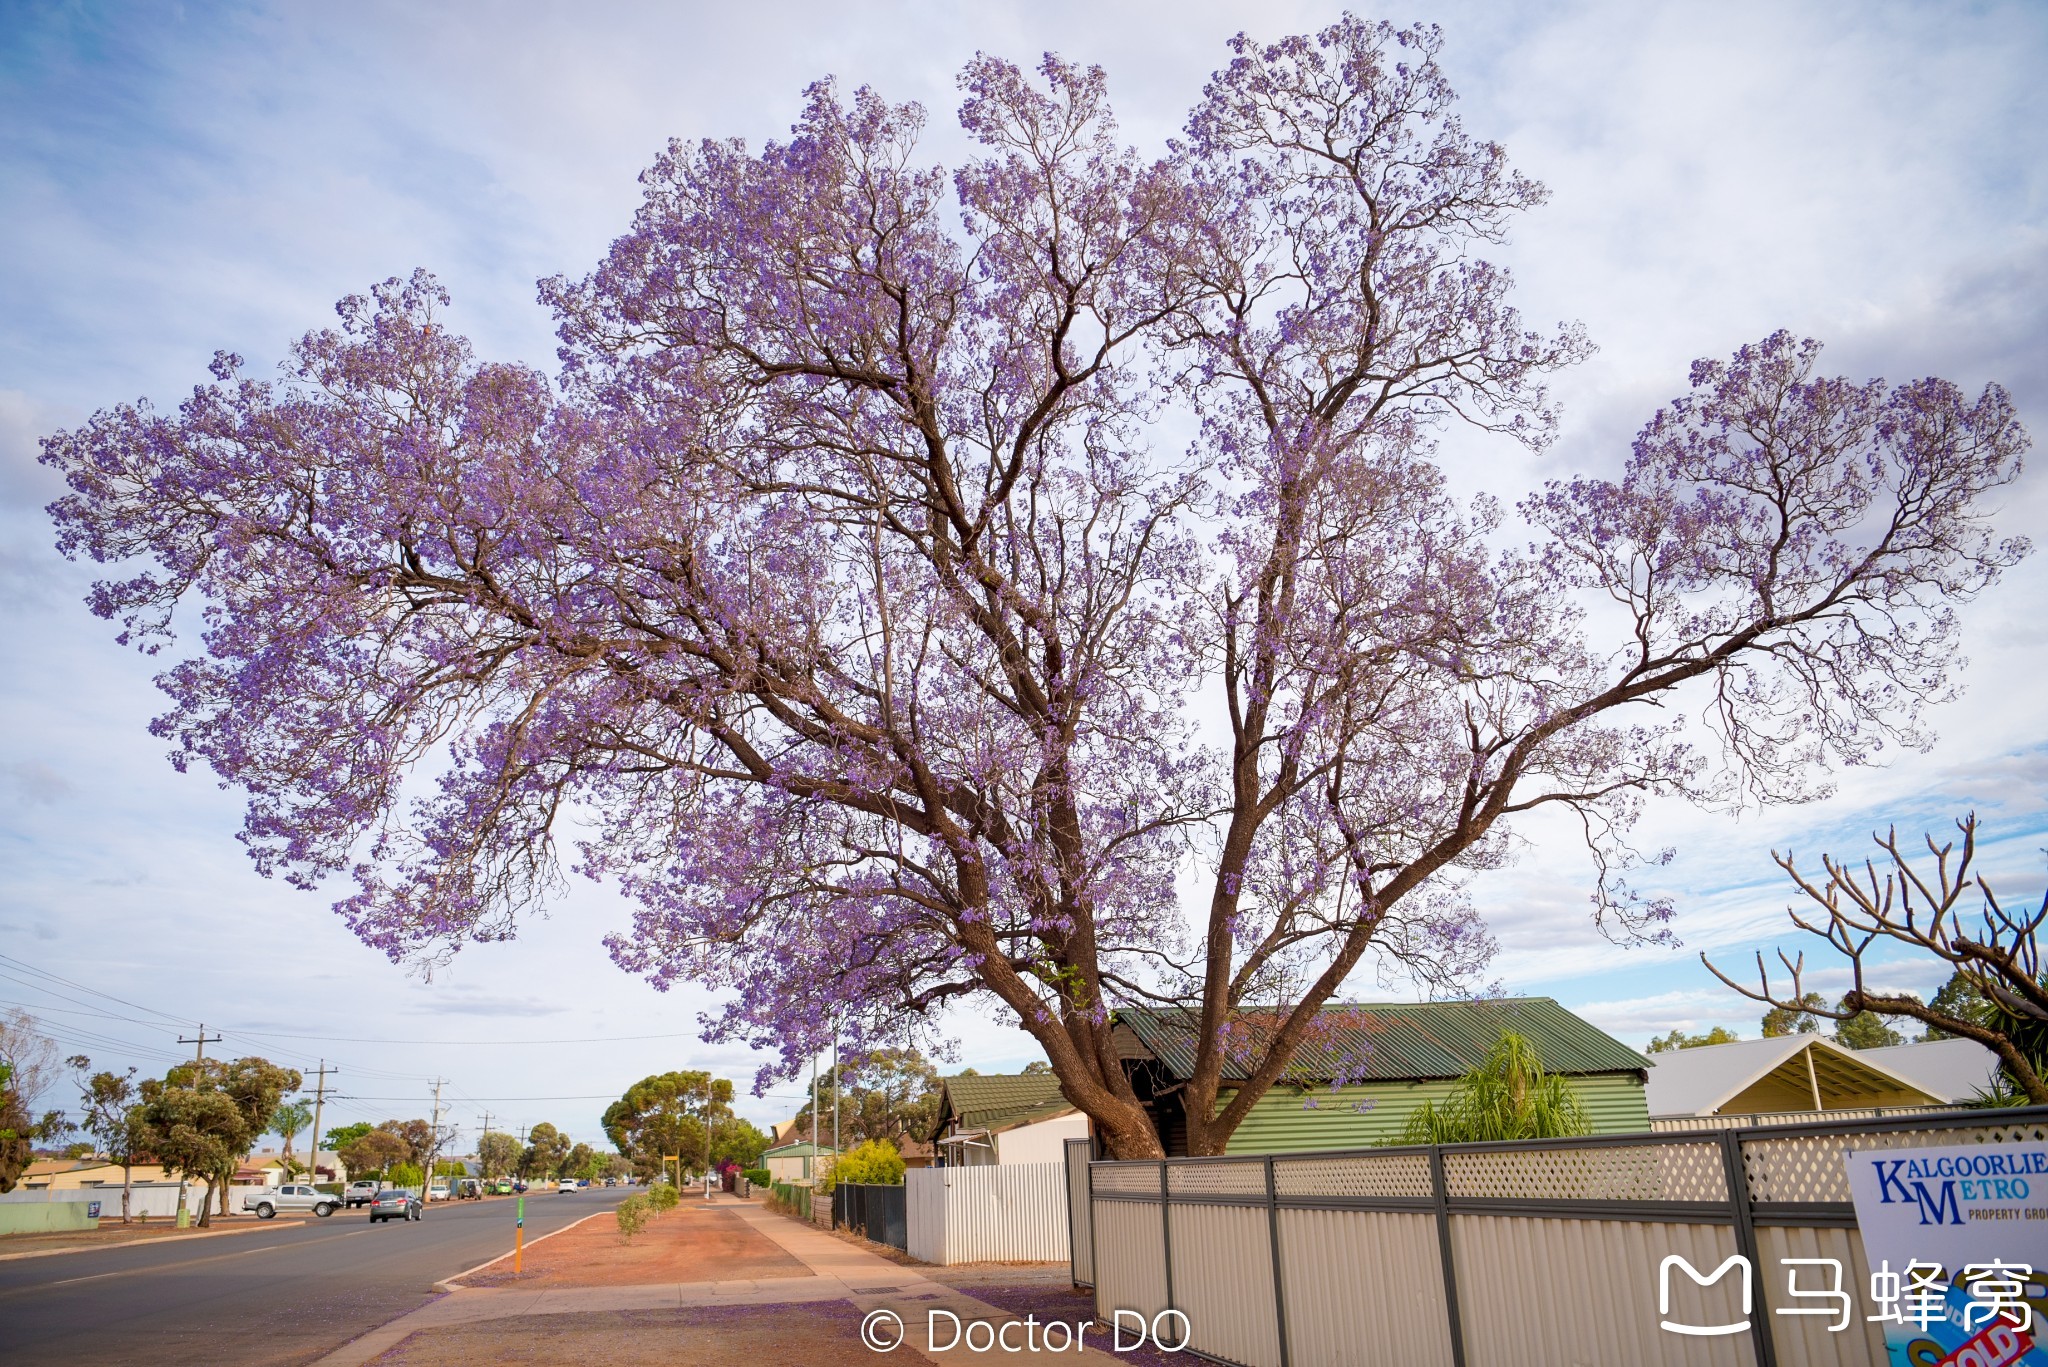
x: 194, y: 177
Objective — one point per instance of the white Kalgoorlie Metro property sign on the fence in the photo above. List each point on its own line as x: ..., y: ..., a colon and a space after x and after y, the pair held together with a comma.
x: 1957, y: 1243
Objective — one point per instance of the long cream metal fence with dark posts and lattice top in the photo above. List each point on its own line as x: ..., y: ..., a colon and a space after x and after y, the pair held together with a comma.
x: 1500, y: 1255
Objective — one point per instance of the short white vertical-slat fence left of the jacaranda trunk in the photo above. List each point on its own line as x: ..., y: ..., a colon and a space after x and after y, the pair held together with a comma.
x: 996, y: 1214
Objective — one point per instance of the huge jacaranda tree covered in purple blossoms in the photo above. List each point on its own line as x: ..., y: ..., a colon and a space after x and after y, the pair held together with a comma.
x: 861, y: 589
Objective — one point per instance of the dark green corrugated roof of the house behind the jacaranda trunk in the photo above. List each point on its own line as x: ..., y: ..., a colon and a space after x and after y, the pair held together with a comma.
x: 1408, y: 1040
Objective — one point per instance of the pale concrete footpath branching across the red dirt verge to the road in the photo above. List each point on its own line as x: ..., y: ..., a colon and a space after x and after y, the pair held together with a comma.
x: 839, y: 1272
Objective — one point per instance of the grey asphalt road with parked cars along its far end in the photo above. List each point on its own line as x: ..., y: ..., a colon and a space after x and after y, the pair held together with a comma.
x: 286, y: 1294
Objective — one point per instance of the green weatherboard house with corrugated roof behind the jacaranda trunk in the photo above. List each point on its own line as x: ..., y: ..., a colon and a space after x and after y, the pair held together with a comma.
x: 1398, y: 1057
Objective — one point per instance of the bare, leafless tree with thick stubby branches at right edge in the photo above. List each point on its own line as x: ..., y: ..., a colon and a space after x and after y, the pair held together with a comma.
x: 1996, y: 952
